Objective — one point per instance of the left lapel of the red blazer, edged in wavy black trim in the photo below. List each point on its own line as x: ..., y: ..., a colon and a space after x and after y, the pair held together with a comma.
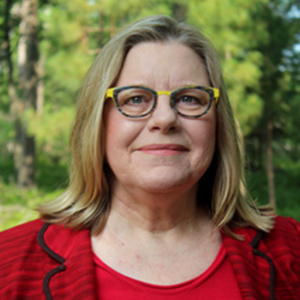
x: 70, y: 274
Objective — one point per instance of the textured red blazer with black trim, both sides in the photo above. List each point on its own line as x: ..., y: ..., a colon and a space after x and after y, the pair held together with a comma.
x: 43, y: 261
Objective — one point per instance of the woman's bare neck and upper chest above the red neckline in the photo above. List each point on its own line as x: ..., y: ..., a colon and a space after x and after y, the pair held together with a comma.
x: 157, y: 230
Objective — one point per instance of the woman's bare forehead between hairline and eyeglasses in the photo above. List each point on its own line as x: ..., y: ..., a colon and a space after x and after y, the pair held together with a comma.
x: 162, y: 65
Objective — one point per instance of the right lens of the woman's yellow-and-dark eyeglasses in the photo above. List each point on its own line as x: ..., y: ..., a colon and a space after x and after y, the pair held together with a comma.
x: 191, y: 101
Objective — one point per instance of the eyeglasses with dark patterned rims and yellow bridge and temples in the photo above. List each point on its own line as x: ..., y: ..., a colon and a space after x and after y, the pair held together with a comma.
x: 139, y: 101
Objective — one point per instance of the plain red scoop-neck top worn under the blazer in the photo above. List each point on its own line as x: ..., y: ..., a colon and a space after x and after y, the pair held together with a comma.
x: 217, y: 282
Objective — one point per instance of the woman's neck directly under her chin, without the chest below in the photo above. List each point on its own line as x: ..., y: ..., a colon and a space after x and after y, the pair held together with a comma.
x: 155, y: 213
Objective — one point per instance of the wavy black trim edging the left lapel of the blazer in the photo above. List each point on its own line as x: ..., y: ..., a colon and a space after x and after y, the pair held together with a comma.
x: 52, y: 254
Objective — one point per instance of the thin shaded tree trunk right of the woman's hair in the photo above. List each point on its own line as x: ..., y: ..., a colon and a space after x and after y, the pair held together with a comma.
x: 270, y: 171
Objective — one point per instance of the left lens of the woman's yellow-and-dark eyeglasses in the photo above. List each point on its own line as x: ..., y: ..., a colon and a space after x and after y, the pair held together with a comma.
x: 135, y: 101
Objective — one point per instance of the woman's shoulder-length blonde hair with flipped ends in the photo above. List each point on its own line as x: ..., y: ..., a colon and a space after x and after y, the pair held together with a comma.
x: 85, y: 203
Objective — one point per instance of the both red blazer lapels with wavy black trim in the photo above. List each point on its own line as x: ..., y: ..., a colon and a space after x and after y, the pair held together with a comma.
x: 71, y: 270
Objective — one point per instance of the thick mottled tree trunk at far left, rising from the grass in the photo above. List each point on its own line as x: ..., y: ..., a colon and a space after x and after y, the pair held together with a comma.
x: 28, y: 82
